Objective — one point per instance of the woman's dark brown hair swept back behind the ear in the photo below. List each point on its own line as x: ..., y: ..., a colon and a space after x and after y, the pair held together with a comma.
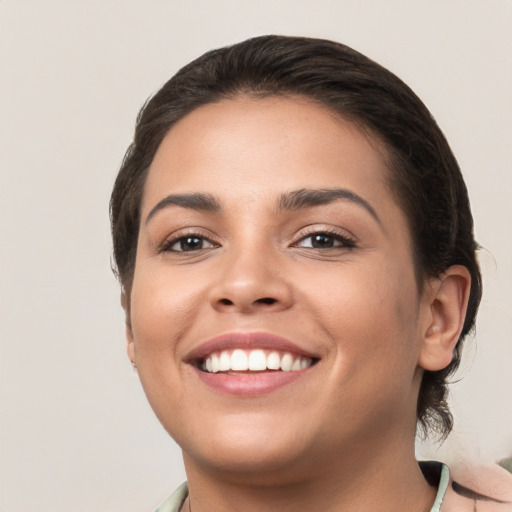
x: 424, y: 174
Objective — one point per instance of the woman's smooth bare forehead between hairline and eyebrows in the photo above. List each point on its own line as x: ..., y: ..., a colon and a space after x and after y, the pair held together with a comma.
x: 263, y: 146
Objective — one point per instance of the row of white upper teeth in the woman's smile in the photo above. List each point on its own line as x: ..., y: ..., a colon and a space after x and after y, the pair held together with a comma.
x: 254, y: 360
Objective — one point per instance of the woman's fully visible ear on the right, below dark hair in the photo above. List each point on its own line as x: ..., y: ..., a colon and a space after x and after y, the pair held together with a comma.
x: 447, y: 298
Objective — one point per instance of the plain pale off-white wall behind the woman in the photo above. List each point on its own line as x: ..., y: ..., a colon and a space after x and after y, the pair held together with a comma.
x: 76, y: 432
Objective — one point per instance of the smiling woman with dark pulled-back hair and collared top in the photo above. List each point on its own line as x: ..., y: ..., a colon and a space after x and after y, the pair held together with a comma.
x: 295, y: 247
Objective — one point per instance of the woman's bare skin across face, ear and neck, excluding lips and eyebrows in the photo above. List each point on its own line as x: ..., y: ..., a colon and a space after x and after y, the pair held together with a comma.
x: 342, y: 435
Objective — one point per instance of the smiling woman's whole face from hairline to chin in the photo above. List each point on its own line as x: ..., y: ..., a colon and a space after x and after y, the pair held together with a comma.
x: 275, y: 316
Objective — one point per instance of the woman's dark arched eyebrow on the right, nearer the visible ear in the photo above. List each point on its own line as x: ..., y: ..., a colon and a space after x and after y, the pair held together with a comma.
x: 307, y: 198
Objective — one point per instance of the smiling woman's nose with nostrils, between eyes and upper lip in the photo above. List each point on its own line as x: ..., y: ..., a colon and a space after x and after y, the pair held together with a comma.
x: 251, y: 282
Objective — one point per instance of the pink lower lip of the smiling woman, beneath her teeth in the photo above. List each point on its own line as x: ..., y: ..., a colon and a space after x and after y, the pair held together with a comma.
x: 249, y: 384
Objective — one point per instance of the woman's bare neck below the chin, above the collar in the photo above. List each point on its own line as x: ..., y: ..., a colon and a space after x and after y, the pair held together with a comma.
x: 360, y: 480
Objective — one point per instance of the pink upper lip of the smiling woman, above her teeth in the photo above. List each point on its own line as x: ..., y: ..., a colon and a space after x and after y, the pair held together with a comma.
x: 247, y: 340
